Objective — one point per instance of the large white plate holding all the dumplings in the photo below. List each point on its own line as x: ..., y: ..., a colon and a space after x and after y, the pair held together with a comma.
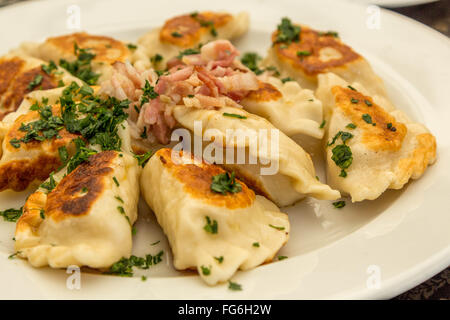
x: 401, y: 239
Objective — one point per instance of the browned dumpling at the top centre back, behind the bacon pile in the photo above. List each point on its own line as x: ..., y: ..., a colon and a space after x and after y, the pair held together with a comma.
x: 188, y: 31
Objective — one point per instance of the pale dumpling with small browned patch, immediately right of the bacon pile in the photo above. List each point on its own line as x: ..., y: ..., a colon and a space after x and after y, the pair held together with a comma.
x: 287, y: 106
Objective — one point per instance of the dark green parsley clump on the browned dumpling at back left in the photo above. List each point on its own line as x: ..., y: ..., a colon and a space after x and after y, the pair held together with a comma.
x: 81, y: 67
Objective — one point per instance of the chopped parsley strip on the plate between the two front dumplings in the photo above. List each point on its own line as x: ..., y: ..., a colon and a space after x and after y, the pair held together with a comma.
x: 124, y: 267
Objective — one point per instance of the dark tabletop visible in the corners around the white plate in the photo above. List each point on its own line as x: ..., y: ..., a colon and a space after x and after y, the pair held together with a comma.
x: 437, y: 16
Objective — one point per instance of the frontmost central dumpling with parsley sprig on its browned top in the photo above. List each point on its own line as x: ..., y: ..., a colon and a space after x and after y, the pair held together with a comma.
x: 215, y: 233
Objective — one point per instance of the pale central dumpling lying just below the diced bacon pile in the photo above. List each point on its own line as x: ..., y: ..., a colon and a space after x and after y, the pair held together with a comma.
x: 282, y: 171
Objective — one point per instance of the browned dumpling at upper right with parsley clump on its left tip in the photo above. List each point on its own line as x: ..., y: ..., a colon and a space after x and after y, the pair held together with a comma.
x: 303, y: 53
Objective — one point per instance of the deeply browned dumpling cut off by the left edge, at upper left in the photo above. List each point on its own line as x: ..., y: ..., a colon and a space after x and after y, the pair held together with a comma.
x: 21, y: 74
